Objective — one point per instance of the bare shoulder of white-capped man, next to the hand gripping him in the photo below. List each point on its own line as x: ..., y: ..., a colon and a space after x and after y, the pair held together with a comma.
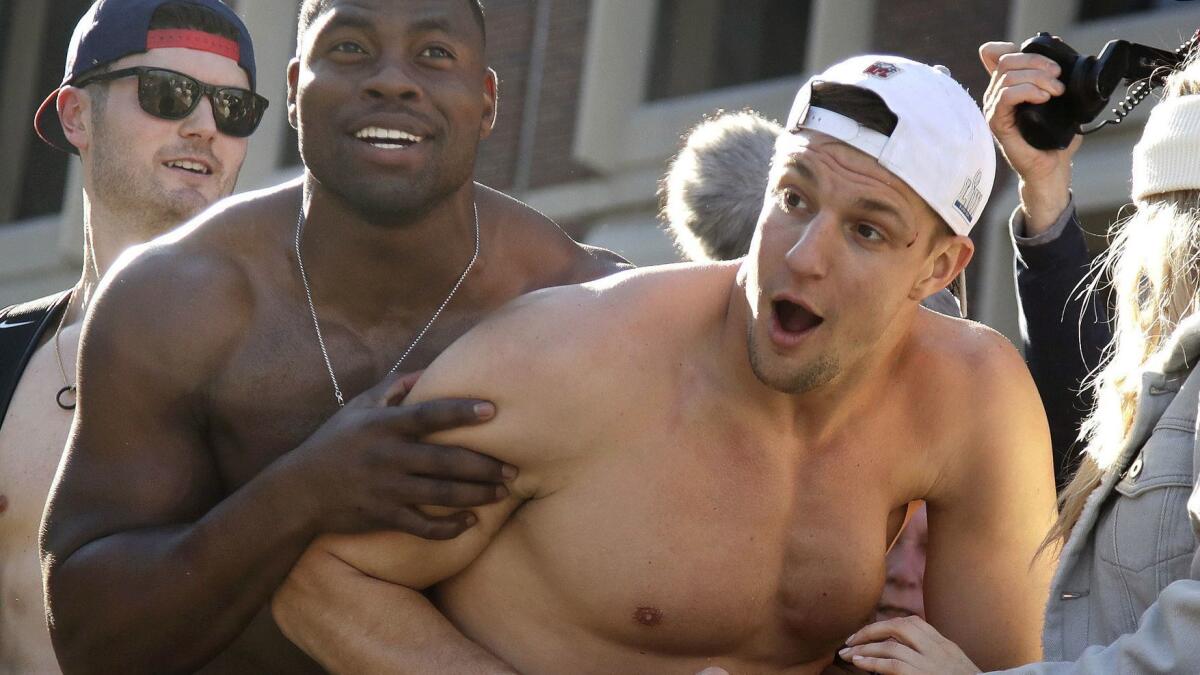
x: 560, y: 360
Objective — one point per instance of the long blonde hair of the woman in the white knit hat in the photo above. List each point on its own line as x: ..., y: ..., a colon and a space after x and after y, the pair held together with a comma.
x: 1155, y: 268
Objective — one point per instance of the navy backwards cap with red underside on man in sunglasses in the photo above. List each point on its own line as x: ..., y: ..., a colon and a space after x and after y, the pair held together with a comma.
x: 115, y: 29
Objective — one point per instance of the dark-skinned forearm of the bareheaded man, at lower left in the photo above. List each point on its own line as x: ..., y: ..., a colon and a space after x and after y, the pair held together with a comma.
x: 185, y: 593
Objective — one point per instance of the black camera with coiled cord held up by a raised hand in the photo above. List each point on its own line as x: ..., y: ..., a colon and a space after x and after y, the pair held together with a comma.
x: 1090, y: 83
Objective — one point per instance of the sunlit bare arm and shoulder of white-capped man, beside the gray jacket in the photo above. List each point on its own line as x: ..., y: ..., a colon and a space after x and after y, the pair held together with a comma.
x: 991, y: 495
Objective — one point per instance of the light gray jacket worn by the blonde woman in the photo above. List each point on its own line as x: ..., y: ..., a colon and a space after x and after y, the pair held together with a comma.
x: 1126, y: 598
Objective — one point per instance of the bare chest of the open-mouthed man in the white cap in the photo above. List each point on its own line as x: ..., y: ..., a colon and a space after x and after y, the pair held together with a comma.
x: 711, y: 539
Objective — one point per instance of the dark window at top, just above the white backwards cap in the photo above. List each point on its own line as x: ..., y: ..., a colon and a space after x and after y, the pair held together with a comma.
x: 703, y: 45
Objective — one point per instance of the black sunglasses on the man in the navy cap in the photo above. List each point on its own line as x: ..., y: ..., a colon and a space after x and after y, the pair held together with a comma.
x: 173, y: 97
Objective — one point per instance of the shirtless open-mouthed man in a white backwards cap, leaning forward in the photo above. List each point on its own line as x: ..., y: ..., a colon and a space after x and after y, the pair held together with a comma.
x: 805, y: 391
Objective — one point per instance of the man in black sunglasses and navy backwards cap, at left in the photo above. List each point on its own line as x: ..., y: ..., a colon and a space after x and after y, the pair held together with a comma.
x: 158, y: 101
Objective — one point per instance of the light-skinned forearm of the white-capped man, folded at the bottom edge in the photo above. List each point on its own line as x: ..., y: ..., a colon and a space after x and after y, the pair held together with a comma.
x: 351, y: 623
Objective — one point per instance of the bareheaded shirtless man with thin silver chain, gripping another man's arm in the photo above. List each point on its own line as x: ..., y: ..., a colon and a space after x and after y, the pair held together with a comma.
x: 212, y: 441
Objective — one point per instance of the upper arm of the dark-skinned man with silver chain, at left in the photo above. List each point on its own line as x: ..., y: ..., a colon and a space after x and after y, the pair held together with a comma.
x: 136, y: 456
